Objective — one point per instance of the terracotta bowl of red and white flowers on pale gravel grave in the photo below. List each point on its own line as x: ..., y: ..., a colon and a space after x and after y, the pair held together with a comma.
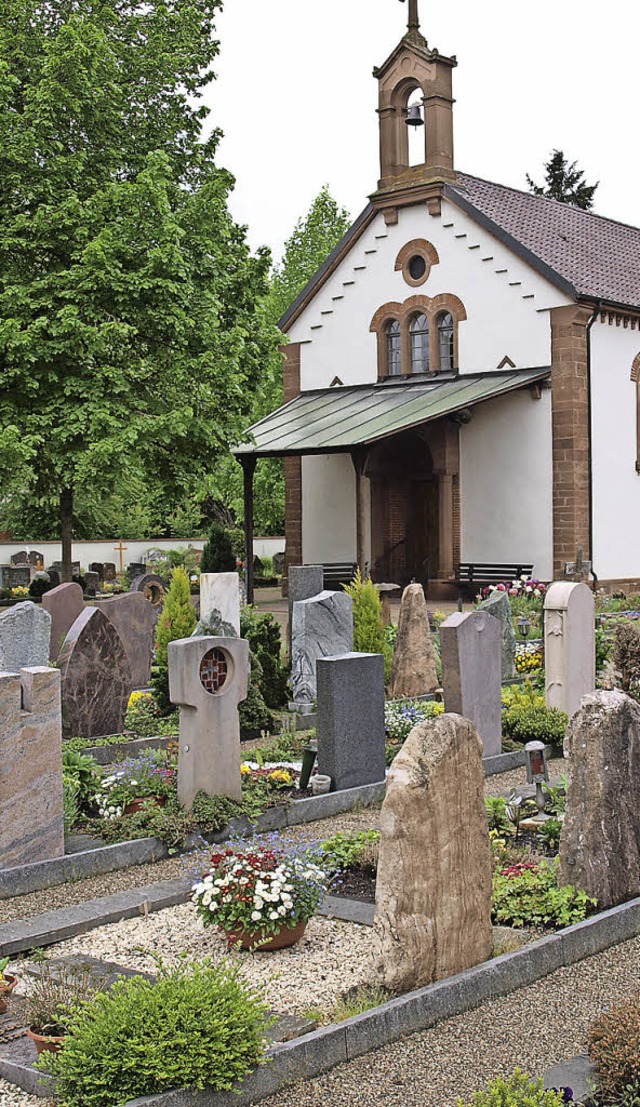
x: 262, y: 896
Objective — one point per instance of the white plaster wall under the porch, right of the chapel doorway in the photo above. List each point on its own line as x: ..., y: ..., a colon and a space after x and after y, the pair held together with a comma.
x: 507, y: 482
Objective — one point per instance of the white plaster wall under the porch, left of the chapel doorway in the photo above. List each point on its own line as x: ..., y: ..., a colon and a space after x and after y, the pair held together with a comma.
x: 328, y: 510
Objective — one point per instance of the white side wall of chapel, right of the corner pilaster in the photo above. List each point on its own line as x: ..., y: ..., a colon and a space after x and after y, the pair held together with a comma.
x: 616, y: 482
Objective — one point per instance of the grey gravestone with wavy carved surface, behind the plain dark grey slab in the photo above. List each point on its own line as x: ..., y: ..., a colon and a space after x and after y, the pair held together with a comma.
x: 322, y: 627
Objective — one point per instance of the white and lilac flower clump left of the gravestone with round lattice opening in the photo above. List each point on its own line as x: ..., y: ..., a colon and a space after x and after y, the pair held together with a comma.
x: 138, y: 782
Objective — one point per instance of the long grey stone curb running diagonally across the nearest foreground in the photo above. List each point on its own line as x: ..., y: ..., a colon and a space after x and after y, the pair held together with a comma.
x: 321, y: 1051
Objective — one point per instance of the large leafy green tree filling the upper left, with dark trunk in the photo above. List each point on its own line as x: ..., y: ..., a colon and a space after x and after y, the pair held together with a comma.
x: 132, y: 334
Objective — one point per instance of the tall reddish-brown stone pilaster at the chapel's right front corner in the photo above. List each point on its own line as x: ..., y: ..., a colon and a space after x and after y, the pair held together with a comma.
x: 571, y: 433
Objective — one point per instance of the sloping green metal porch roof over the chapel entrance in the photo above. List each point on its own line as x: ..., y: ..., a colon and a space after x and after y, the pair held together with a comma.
x: 335, y: 420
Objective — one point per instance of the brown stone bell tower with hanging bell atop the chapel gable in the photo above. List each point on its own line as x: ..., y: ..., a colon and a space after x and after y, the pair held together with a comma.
x: 415, y: 69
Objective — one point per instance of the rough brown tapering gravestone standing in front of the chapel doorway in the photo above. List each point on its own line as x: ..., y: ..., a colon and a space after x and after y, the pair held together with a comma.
x: 414, y: 668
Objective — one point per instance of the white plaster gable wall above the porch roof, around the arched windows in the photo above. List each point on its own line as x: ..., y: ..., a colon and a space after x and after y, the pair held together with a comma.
x: 507, y: 302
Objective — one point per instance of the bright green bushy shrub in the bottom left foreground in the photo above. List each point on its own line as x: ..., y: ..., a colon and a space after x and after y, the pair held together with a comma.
x: 199, y: 1026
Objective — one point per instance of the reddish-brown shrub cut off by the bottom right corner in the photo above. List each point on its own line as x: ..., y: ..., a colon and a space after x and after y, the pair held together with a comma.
x: 615, y: 1049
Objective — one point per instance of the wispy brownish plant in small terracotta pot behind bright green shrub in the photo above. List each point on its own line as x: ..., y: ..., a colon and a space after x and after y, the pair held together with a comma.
x: 54, y: 992
